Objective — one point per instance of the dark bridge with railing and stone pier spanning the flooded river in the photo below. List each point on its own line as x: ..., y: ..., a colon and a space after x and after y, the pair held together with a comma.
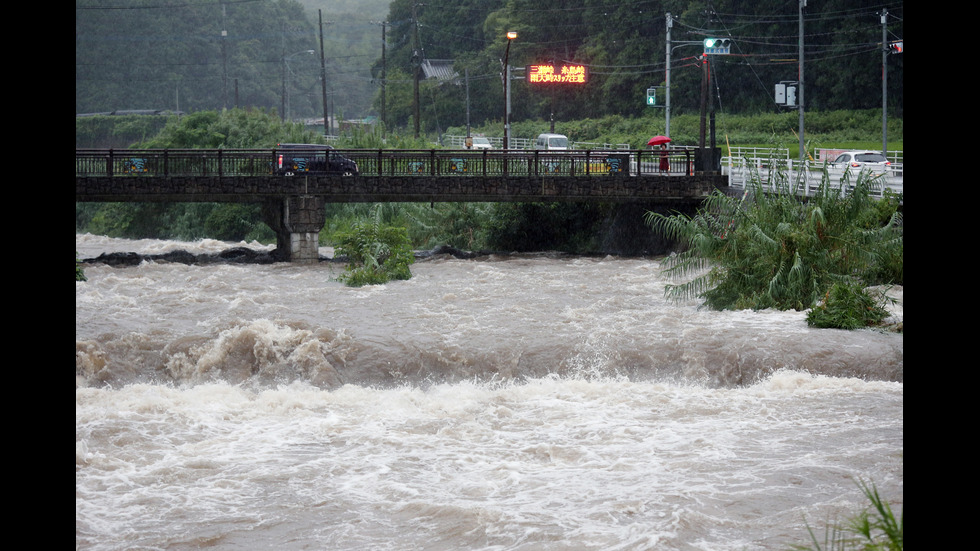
x: 294, y: 197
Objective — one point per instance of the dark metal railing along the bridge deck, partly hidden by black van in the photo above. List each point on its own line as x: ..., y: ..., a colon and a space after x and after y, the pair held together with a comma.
x: 388, y: 162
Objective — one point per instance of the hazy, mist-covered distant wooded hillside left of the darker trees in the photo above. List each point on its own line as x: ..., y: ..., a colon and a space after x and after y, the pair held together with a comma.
x: 147, y: 54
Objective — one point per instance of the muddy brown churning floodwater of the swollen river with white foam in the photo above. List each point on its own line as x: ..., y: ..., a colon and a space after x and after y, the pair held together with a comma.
x: 505, y: 402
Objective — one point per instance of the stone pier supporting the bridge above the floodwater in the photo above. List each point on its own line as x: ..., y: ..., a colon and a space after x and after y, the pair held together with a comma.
x: 297, y: 221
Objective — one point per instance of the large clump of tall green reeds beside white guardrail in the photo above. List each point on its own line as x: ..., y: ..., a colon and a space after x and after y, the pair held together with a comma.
x: 771, y: 248
